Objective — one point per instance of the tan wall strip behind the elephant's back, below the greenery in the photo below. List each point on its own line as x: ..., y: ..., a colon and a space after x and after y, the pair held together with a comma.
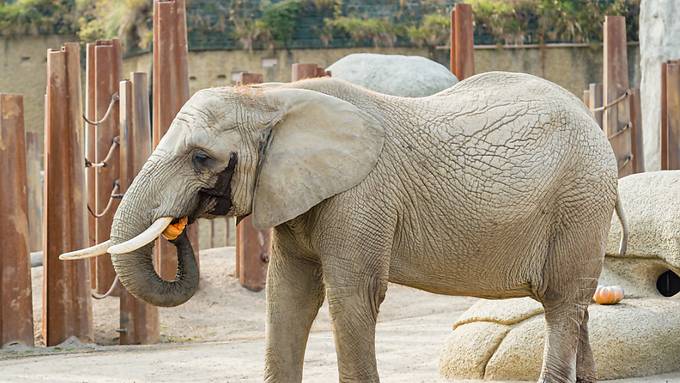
x: 571, y: 66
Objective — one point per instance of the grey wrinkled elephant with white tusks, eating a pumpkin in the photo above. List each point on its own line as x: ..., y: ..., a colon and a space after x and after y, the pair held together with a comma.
x: 502, y: 186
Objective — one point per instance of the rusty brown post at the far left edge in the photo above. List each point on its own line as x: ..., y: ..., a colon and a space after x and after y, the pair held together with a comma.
x: 16, y: 310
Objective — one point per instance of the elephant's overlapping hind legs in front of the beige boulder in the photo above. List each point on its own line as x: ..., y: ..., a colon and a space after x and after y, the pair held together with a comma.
x: 570, y: 275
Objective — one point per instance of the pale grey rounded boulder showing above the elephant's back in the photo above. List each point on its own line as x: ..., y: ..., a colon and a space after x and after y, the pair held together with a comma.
x: 396, y: 75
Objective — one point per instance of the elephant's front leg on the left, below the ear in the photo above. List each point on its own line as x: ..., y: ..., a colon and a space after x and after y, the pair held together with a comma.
x: 294, y: 294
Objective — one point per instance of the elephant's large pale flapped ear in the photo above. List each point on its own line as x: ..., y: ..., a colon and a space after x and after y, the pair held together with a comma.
x: 320, y: 146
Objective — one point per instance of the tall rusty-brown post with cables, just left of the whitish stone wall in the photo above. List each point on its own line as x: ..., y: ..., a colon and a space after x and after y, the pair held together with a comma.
x: 615, y: 74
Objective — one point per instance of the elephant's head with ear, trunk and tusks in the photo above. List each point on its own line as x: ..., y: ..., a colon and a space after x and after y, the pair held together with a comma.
x: 270, y: 152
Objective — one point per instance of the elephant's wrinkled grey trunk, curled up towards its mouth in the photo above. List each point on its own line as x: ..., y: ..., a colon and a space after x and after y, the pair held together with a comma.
x: 135, y: 269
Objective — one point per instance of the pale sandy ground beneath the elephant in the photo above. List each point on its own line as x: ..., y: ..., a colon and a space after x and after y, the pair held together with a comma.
x: 218, y: 336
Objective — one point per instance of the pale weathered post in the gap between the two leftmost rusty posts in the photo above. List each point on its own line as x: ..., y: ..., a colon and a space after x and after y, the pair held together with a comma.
x: 33, y: 167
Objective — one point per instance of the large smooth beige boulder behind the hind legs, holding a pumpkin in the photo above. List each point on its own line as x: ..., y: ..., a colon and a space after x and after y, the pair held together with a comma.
x: 638, y: 337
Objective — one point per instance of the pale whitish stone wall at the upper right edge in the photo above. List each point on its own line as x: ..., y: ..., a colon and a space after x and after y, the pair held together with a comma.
x: 659, y: 41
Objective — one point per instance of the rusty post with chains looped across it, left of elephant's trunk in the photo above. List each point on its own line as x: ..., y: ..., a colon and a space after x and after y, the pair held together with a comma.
x: 108, y: 66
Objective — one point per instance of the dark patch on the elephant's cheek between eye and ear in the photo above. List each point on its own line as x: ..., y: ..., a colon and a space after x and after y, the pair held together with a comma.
x: 217, y: 200
